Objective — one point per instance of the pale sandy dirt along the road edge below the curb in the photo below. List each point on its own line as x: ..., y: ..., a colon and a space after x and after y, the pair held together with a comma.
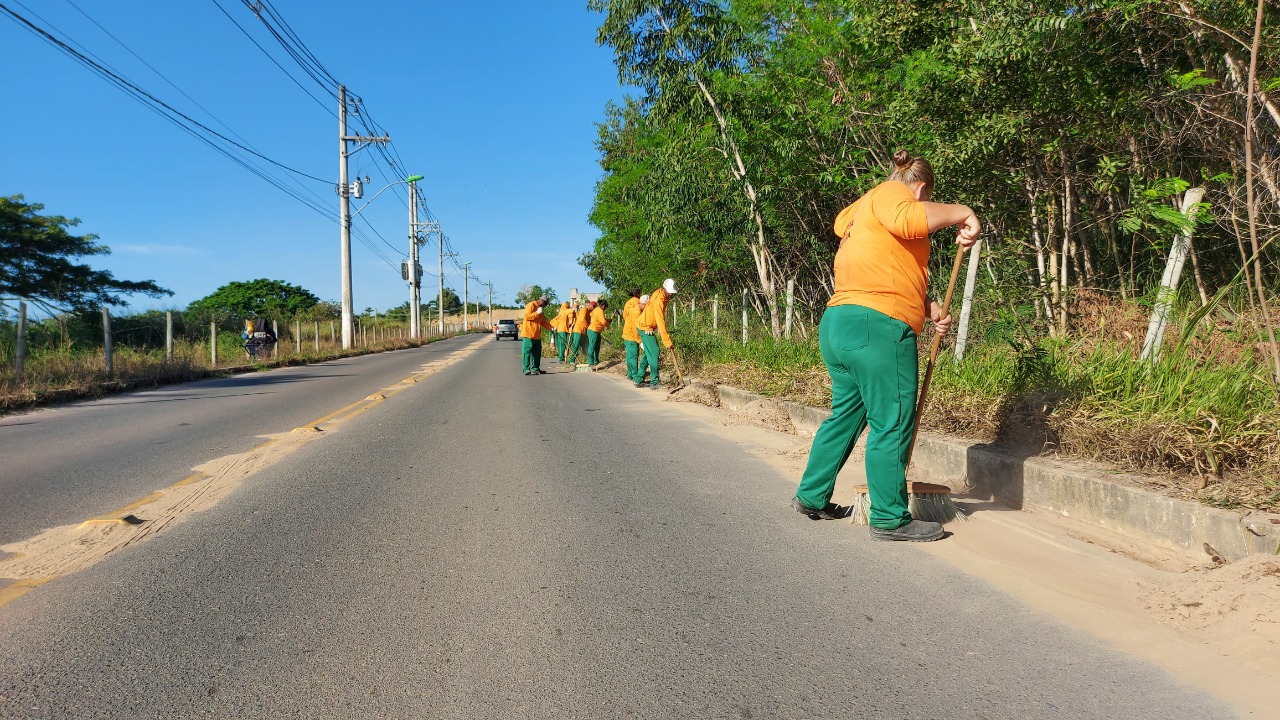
x: 1214, y: 627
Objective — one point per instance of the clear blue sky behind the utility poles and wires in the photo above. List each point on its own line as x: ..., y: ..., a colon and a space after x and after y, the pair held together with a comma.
x: 493, y: 103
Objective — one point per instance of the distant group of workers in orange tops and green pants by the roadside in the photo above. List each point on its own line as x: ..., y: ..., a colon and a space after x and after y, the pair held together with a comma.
x: 578, y: 329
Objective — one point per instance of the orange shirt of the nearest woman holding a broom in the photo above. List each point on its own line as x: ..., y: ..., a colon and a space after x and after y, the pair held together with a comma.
x: 884, y: 259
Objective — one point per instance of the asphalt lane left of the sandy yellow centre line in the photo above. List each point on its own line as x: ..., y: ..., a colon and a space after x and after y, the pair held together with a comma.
x: 79, y: 461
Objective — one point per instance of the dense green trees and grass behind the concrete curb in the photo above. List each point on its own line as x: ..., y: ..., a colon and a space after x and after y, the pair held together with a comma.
x: 1080, y: 134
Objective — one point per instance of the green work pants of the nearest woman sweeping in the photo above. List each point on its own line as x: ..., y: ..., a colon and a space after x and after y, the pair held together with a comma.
x: 874, y: 367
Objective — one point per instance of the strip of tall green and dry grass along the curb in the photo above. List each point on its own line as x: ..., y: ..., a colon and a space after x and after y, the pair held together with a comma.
x: 1208, y: 426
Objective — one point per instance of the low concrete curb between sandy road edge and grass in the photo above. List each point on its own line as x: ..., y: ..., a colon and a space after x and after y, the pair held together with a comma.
x: 1071, y: 490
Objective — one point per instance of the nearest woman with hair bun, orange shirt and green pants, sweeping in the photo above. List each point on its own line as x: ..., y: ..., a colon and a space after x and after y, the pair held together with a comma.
x: 867, y: 338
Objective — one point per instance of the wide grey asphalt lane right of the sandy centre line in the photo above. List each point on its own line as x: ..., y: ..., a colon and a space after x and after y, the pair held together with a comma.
x: 488, y: 545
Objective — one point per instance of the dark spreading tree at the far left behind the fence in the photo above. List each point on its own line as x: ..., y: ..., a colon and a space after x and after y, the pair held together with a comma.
x: 36, y: 262
